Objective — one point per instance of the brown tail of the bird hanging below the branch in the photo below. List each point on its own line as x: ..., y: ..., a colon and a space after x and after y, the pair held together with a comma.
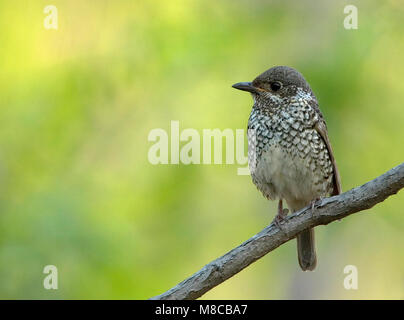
x: 306, y: 250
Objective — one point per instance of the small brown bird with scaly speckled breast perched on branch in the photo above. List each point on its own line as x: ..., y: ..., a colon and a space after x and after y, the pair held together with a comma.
x: 289, y: 152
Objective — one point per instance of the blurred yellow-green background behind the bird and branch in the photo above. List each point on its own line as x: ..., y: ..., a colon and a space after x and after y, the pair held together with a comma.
x: 77, y: 104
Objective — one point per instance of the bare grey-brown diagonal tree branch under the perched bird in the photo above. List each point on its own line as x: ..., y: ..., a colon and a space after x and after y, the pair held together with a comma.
x: 326, y: 210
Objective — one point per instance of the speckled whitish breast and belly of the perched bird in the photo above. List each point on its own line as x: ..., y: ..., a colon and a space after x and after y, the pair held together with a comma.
x: 287, y: 156
